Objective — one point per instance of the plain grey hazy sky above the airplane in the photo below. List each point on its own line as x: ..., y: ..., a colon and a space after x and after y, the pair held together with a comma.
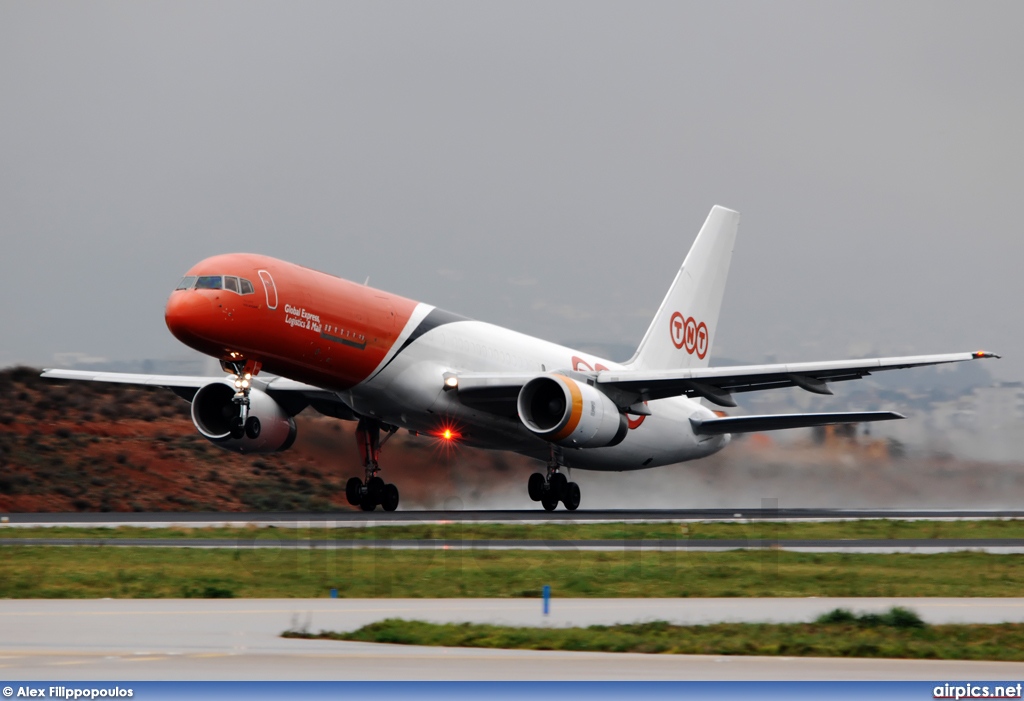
x: 540, y: 165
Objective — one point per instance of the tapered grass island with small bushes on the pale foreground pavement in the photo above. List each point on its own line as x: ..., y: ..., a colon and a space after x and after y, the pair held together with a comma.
x: 849, y: 639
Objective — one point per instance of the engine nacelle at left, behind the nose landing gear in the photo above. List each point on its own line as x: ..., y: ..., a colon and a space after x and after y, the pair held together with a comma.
x: 214, y: 412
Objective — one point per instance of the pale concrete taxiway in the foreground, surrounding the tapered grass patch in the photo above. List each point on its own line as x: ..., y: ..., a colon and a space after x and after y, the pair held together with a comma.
x: 240, y: 639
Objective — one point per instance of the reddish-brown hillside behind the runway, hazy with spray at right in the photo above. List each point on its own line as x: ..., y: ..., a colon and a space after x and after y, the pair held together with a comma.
x: 88, y: 447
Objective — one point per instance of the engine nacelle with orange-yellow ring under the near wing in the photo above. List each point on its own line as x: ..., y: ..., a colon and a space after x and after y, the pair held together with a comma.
x: 569, y: 413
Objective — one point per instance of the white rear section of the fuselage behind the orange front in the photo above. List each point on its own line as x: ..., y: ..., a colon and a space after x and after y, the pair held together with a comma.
x: 409, y: 393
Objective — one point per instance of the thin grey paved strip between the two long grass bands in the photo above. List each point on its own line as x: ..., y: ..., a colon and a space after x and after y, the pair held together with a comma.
x: 877, y: 546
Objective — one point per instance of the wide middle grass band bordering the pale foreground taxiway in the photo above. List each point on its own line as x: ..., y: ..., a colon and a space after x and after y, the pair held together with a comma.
x: 145, y: 573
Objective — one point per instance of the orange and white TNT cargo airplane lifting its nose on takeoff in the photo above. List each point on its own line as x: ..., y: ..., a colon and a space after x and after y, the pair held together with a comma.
x: 289, y: 338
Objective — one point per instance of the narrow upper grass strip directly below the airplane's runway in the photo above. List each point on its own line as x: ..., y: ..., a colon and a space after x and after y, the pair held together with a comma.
x: 869, y: 529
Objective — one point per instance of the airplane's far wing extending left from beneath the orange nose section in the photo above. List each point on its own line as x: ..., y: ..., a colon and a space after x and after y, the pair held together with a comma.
x: 293, y: 397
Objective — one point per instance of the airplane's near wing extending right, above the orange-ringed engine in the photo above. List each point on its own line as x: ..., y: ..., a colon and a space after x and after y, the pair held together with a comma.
x: 718, y: 384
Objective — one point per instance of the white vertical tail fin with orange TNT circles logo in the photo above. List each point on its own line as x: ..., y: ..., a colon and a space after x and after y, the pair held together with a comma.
x: 684, y: 329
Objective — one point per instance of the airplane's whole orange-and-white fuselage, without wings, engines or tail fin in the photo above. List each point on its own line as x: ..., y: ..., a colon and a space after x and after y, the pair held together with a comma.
x: 387, y: 358
